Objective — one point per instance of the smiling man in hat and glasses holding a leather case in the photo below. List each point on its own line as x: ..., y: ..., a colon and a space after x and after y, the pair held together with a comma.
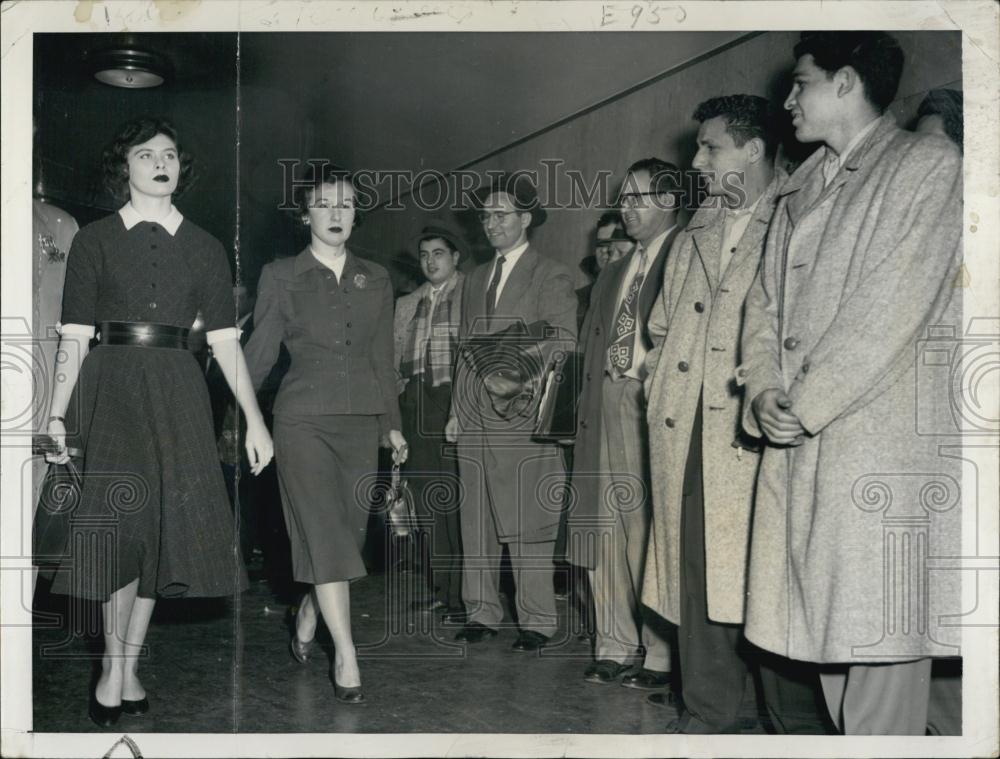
x: 513, y: 485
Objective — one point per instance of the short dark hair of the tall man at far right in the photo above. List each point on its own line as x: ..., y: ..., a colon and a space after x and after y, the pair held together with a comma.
x: 876, y: 56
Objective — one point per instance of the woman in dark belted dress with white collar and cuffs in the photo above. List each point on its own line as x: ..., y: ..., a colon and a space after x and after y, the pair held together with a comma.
x: 138, y: 407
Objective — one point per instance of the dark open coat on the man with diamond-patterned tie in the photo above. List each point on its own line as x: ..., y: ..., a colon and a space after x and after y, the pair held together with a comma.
x: 595, y: 338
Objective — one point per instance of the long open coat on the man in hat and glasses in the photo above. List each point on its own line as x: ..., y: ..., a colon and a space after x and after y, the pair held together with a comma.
x: 506, y: 475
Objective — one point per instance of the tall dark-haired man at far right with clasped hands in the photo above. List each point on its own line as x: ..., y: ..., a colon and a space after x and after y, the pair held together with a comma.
x: 860, y: 264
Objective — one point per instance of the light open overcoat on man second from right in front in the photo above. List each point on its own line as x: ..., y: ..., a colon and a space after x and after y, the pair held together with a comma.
x: 695, y: 327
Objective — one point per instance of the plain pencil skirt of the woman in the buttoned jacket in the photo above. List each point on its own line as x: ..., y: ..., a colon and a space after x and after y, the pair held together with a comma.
x: 327, y: 471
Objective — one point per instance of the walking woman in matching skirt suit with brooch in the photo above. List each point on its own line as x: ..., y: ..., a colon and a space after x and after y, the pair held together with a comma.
x: 333, y: 311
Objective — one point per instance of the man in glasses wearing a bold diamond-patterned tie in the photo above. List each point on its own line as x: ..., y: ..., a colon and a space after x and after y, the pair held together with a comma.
x: 608, y: 523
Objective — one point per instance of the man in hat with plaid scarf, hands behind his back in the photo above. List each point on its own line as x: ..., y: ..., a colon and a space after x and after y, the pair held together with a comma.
x: 426, y: 335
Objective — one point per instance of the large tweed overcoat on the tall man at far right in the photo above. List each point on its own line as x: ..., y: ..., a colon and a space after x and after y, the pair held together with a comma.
x: 855, y: 275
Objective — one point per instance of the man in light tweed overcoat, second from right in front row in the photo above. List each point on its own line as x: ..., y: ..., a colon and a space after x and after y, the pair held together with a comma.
x: 703, y: 465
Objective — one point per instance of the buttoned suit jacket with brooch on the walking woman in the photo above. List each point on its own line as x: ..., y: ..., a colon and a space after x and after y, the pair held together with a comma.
x: 339, y: 337
